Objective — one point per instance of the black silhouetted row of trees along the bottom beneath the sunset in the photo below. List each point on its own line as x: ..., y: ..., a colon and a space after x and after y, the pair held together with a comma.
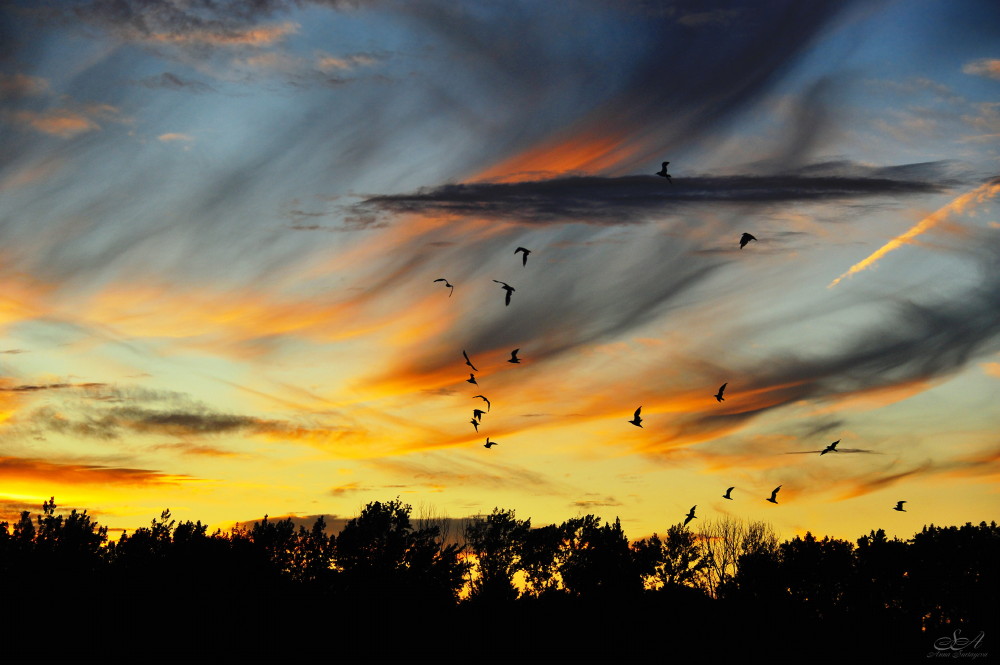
x: 387, y: 583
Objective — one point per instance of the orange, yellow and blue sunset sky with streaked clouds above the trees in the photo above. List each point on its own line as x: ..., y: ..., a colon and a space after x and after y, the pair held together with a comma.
x: 221, y: 222
